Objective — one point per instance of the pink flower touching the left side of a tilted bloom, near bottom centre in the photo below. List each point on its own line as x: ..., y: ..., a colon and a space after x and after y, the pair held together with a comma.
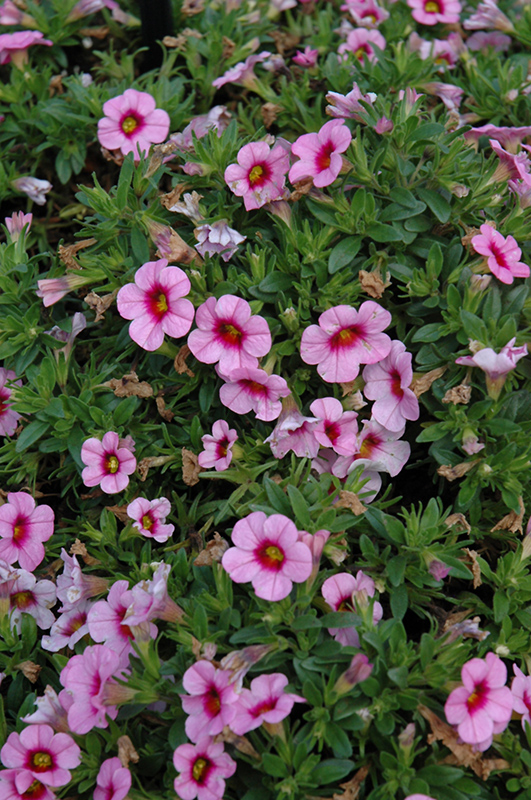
x: 212, y: 703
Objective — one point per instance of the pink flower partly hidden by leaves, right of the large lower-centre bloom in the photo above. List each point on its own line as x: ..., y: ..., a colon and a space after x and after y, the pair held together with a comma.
x: 344, y: 592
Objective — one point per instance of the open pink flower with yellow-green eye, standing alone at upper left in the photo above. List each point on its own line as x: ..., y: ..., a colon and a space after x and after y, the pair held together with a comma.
x: 132, y: 123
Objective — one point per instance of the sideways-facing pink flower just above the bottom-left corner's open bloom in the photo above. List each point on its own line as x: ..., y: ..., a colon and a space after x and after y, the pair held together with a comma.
x: 87, y: 678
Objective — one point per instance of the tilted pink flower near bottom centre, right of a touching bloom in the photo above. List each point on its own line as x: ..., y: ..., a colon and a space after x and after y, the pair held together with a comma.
x: 266, y: 701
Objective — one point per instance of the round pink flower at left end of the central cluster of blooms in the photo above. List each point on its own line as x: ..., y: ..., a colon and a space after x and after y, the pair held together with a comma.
x: 156, y: 303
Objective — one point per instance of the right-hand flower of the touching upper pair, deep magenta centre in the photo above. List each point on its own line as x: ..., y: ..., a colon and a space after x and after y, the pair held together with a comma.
x: 320, y: 153
